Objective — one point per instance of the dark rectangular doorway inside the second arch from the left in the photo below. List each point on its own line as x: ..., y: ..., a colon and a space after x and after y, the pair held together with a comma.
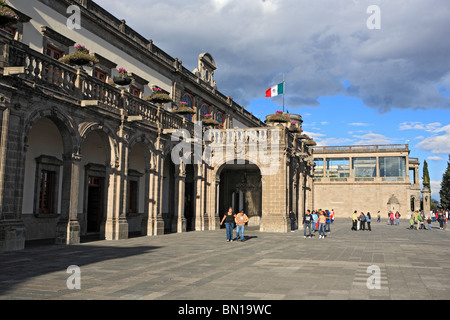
x: 95, y: 205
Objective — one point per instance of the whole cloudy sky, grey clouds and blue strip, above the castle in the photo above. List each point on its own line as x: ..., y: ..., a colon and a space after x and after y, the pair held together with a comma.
x: 352, y: 84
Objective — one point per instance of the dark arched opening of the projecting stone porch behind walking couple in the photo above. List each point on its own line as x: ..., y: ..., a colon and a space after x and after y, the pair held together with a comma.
x: 240, y: 188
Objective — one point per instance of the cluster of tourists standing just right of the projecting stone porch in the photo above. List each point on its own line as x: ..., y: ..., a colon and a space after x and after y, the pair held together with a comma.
x: 320, y: 220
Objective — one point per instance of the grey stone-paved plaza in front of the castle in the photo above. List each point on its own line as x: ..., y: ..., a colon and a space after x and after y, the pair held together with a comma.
x: 267, y: 266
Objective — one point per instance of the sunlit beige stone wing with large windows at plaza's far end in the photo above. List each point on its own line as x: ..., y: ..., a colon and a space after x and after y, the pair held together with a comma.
x: 367, y: 178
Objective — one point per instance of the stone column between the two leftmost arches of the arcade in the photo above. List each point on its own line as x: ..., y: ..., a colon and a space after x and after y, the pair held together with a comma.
x: 68, y: 226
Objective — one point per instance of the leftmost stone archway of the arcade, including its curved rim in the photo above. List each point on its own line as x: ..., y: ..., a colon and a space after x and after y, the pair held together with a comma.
x: 49, y: 138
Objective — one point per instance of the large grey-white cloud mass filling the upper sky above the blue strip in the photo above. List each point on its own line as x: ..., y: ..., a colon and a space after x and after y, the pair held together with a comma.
x: 318, y: 44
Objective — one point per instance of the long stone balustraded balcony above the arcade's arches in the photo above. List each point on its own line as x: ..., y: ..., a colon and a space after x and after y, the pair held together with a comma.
x: 76, y: 86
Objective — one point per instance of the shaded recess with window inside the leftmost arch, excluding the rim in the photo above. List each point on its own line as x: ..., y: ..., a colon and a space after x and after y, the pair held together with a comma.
x: 43, y: 179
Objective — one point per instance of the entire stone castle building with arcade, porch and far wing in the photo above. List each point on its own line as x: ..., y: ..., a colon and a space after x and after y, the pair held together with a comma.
x: 82, y: 156
